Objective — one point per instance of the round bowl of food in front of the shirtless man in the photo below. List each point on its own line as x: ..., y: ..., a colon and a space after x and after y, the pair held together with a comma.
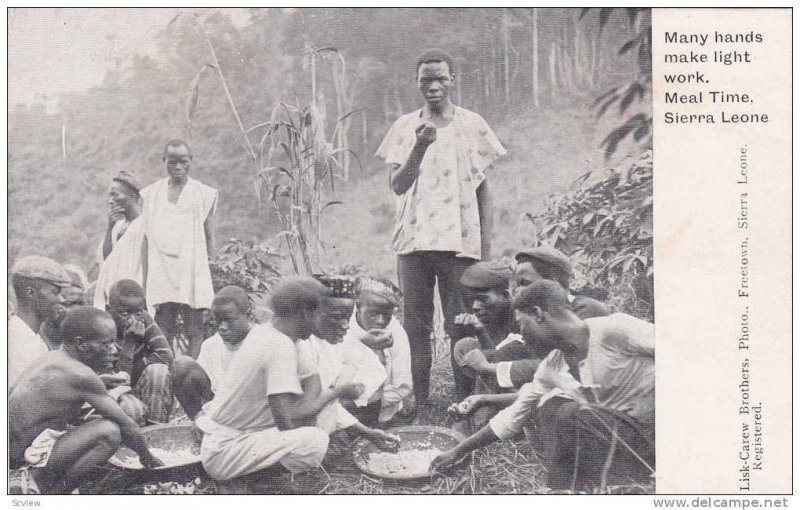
x: 170, y: 437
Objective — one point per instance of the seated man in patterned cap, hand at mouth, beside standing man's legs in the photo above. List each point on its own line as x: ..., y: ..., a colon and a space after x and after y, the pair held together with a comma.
x: 373, y: 324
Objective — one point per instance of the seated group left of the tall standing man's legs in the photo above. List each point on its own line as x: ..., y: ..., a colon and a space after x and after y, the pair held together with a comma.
x: 332, y: 358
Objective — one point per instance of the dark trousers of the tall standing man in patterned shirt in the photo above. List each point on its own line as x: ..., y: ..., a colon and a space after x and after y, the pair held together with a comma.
x: 418, y: 273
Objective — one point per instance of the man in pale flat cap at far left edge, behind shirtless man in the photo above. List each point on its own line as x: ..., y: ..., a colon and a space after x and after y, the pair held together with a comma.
x: 37, y: 283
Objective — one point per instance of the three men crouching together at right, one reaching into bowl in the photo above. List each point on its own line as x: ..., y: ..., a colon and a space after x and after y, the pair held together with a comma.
x: 577, y: 379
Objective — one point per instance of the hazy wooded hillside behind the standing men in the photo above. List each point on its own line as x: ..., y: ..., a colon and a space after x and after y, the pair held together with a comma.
x: 57, y: 184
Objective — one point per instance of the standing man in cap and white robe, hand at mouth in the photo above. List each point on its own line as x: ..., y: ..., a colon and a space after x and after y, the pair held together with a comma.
x: 122, y: 254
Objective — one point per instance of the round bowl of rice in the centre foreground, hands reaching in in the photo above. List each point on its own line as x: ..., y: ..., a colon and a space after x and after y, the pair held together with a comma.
x: 420, y: 437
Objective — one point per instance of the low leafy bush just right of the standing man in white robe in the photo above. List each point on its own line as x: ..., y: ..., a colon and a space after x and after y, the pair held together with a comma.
x: 249, y: 265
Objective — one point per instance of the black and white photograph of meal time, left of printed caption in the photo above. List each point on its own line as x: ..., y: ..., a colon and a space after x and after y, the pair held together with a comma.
x: 330, y: 251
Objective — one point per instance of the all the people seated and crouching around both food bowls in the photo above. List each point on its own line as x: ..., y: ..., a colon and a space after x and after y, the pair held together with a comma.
x: 332, y: 361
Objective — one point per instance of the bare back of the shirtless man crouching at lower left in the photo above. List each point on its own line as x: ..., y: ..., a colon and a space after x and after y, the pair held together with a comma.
x: 48, y: 396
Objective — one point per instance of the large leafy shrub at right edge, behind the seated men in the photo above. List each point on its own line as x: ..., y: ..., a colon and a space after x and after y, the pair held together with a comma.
x: 605, y: 226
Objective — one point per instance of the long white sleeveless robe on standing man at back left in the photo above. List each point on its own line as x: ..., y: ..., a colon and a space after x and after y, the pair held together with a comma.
x: 177, y: 258
